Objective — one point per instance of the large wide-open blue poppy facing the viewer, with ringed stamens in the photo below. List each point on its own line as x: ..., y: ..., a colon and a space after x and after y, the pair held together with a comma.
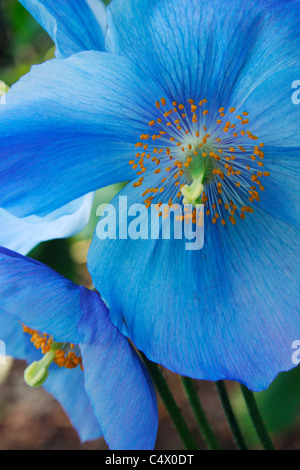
x: 197, y: 97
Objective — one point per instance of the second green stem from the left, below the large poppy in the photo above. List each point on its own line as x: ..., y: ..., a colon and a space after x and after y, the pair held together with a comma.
x: 192, y: 395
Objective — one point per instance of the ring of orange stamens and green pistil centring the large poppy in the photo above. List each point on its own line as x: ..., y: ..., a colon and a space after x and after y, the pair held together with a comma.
x: 197, y: 156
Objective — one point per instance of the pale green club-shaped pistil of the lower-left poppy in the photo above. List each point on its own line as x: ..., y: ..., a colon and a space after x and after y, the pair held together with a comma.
x: 36, y: 374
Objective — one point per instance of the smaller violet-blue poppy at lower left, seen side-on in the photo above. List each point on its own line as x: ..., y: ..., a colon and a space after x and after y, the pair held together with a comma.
x: 64, y: 327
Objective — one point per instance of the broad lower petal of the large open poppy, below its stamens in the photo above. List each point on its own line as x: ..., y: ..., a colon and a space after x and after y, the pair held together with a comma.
x: 228, y: 311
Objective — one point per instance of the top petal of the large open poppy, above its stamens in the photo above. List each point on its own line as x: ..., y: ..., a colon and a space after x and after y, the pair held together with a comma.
x: 205, y: 49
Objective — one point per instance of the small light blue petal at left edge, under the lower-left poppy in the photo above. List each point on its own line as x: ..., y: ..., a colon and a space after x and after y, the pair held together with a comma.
x: 11, y: 333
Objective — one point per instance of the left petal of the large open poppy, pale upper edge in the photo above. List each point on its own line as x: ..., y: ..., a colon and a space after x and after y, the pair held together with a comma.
x: 69, y: 127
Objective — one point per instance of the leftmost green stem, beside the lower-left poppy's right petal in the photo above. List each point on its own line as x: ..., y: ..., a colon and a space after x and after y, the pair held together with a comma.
x: 170, y: 404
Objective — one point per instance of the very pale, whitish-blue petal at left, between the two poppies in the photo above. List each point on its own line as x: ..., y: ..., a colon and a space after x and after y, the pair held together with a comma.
x: 23, y: 234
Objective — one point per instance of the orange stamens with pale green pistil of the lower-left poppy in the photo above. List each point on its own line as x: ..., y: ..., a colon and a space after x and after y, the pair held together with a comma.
x: 63, y: 354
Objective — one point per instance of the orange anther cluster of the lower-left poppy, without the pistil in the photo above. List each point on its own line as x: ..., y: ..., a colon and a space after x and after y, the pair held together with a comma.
x: 67, y: 356
